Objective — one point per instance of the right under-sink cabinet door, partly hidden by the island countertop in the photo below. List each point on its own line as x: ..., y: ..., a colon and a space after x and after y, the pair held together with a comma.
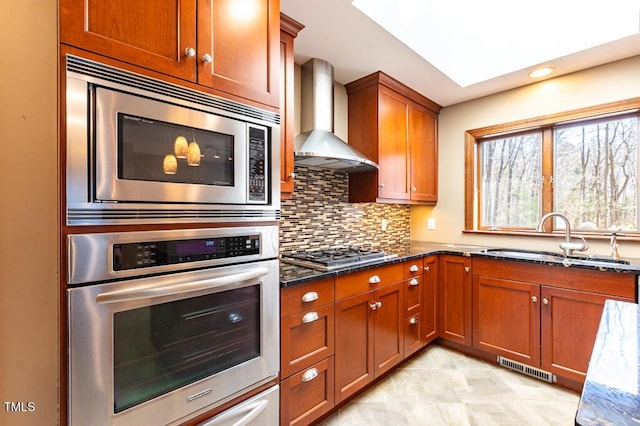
x: 570, y: 321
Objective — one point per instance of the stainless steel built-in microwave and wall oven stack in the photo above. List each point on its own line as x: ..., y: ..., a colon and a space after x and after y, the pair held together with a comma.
x: 168, y: 322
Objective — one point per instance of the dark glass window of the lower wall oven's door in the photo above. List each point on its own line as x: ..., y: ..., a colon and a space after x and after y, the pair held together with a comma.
x: 164, y: 347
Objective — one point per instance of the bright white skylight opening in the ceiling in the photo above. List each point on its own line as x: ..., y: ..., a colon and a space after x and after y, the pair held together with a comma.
x: 473, y: 41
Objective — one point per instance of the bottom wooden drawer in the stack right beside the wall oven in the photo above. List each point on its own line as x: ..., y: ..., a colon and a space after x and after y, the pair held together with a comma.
x: 308, y: 394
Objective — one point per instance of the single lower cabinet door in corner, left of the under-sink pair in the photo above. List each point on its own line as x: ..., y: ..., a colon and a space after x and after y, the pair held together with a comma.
x: 454, y: 299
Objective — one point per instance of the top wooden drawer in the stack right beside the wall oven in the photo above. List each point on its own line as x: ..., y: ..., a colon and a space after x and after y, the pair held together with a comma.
x: 306, y: 296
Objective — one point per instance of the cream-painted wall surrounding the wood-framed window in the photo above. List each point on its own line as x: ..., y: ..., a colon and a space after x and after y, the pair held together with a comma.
x: 607, y: 83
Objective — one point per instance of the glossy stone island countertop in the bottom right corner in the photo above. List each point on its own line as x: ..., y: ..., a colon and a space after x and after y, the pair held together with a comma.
x: 611, y: 393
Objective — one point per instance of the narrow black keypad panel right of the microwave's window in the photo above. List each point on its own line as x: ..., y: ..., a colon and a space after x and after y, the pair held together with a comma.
x: 257, y: 165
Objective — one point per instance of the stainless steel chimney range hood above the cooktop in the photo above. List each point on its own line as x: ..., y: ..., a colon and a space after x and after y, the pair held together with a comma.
x: 317, y: 146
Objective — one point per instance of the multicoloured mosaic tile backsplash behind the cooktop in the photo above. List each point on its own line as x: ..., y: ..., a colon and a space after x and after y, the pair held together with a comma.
x: 320, y: 216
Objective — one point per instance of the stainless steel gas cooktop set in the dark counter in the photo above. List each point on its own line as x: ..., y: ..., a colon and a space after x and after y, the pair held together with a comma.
x: 333, y: 258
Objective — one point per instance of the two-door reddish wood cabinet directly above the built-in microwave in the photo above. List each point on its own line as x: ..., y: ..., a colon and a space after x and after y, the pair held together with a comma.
x: 229, y: 46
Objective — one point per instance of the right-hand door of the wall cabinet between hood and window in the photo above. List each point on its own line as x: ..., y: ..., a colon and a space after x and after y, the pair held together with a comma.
x: 423, y: 154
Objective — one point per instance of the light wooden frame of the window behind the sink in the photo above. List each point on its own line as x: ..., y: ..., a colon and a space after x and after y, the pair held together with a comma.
x: 545, y: 124
